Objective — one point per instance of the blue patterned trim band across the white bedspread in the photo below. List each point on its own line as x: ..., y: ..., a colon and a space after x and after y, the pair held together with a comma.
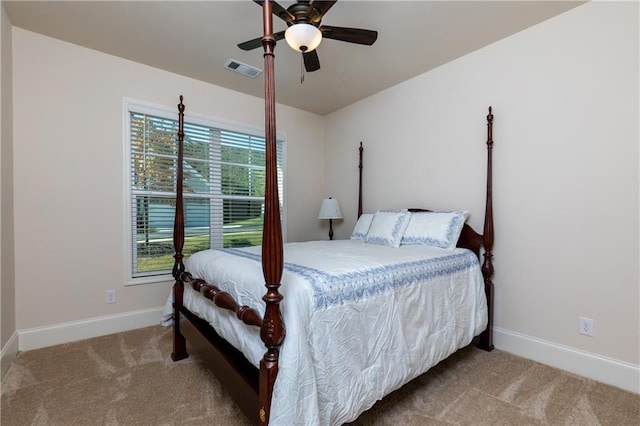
x: 329, y: 289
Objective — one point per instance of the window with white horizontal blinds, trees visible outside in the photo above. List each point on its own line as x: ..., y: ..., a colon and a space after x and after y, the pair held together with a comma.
x: 224, y: 176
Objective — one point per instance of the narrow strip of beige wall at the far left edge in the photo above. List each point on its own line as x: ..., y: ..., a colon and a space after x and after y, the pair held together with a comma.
x: 7, y: 283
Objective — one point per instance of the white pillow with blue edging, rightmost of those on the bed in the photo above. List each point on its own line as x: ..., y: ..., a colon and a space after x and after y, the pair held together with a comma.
x: 438, y: 229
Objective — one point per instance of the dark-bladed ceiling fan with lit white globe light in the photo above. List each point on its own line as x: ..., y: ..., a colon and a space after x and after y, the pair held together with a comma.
x: 304, y: 32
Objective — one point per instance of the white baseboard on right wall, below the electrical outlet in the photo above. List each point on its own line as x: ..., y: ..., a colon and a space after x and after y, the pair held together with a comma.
x: 617, y: 373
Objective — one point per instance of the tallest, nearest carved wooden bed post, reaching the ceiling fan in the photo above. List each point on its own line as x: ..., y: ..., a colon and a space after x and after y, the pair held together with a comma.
x: 272, y: 331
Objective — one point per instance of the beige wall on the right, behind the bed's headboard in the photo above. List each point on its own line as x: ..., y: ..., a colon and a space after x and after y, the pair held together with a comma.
x: 565, y: 98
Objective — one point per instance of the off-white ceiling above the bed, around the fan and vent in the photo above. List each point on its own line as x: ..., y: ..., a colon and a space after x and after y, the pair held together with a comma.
x: 196, y: 38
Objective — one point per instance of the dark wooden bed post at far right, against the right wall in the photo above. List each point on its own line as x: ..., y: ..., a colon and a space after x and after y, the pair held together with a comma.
x: 486, y: 337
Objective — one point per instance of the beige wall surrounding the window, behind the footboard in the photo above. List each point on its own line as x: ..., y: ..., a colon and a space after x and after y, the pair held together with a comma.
x: 69, y: 179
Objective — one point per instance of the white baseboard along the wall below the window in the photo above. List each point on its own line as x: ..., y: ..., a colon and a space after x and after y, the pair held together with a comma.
x: 56, y: 334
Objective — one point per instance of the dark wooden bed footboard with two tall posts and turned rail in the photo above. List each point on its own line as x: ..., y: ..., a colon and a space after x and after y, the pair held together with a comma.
x: 272, y: 330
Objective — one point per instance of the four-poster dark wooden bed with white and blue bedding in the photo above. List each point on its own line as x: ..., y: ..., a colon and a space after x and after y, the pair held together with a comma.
x: 299, y: 378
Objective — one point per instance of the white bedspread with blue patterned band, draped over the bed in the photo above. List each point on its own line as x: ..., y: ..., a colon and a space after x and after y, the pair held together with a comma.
x: 380, y: 318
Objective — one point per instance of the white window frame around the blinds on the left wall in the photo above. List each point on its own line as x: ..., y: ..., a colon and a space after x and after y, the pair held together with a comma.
x: 162, y: 111
